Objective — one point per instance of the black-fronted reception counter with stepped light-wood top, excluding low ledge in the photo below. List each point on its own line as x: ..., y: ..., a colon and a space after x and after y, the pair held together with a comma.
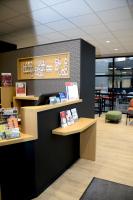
x: 31, y: 163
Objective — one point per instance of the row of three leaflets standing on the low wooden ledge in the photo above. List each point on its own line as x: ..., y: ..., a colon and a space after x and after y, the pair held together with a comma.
x: 68, y: 117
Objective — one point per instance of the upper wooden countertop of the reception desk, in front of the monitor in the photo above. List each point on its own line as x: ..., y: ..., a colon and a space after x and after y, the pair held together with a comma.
x: 51, y: 106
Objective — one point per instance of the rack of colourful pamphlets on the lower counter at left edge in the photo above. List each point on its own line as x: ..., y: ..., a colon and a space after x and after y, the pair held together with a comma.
x: 9, y: 123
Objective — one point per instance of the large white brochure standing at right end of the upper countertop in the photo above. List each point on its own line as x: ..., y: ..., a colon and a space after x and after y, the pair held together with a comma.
x: 72, y: 90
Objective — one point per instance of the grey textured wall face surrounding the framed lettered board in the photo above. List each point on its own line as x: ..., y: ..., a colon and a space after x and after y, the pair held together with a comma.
x: 8, y: 63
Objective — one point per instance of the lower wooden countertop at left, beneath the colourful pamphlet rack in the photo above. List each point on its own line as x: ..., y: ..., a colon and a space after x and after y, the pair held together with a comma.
x: 23, y: 138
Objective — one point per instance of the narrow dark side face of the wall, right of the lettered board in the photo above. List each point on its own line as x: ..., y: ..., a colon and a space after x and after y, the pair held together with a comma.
x: 87, y: 78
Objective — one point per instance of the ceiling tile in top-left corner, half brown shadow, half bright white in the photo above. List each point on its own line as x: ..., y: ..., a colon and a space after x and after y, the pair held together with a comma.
x: 23, y: 6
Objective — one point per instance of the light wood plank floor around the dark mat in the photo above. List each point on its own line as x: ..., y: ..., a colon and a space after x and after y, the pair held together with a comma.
x: 114, y: 161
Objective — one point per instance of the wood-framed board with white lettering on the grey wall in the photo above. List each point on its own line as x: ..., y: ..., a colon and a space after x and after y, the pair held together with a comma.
x: 53, y: 66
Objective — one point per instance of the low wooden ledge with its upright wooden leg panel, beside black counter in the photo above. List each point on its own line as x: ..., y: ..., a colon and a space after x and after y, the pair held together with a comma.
x: 87, y: 129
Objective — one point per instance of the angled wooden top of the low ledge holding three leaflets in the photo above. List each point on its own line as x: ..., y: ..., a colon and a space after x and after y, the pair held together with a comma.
x: 79, y: 126
